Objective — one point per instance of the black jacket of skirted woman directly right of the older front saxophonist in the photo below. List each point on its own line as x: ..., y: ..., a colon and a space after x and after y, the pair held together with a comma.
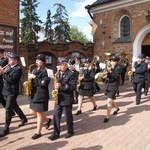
x: 88, y: 82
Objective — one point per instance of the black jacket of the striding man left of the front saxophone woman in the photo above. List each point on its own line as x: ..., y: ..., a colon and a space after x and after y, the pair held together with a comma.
x: 11, y: 81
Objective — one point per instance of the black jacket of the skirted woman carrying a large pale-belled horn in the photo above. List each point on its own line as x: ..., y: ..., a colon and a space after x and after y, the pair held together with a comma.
x: 113, y: 79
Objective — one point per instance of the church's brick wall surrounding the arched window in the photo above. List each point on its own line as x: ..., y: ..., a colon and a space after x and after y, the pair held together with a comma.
x: 104, y: 37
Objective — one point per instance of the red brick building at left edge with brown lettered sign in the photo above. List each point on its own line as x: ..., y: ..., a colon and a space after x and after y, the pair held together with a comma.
x: 9, y: 25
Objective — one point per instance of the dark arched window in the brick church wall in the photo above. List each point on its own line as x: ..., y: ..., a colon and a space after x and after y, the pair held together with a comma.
x: 125, y: 27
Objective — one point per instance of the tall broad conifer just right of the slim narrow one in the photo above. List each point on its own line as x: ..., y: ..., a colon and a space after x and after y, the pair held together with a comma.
x: 61, y: 24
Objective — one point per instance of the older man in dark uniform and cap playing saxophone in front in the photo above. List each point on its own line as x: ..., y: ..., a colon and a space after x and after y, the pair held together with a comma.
x: 66, y: 85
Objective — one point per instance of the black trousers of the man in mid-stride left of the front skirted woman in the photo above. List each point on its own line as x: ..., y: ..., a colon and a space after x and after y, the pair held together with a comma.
x: 11, y: 104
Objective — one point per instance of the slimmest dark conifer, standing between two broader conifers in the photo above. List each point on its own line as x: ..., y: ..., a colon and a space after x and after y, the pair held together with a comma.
x: 48, y: 27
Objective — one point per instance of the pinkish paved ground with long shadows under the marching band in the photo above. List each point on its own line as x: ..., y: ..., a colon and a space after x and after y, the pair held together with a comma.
x: 128, y: 130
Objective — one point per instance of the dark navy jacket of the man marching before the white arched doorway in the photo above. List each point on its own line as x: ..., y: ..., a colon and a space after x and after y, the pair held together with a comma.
x: 139, y: 74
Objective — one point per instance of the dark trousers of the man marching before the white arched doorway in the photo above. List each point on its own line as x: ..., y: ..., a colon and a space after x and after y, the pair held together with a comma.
x: 138, y: 90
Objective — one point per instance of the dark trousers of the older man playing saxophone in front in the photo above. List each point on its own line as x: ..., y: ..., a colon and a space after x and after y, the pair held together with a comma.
x: 58, y: 110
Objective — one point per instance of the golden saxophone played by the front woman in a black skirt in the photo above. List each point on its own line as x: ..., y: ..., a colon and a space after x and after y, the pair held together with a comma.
x: 27, y: 84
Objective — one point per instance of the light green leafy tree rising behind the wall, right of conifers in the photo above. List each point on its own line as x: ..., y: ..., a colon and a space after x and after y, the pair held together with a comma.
x: 76, y: 35
